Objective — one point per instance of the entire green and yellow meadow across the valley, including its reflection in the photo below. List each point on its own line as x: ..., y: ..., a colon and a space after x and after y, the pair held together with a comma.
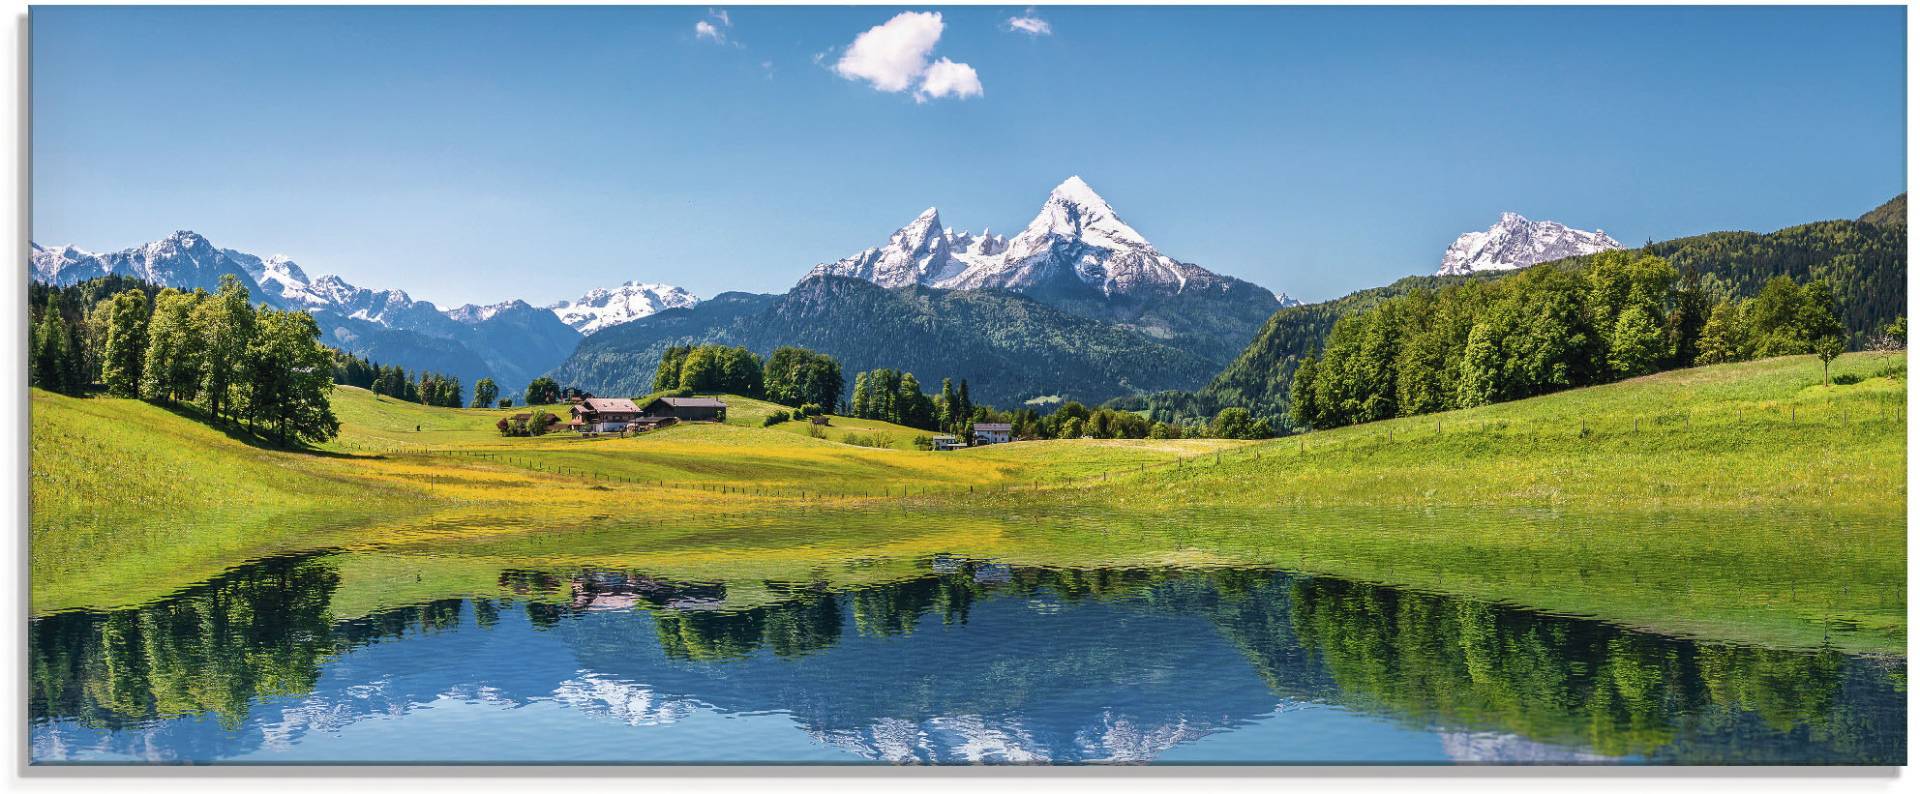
x: 1744, y: 503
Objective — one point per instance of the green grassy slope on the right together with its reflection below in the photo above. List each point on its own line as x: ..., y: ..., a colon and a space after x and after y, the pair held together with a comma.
x: 1742, y: 502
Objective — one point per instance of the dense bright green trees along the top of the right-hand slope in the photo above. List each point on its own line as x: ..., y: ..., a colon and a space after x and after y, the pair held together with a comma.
x: 1543, y: 331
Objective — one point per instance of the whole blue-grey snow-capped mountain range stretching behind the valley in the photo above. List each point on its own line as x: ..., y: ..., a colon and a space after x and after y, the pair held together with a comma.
x: 1074, y: 306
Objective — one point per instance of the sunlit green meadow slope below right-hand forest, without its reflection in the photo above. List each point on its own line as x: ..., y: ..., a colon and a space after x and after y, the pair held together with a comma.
x: 1740, y: 436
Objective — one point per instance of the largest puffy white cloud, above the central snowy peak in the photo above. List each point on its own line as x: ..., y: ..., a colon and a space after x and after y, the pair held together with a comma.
x: 894, y: 58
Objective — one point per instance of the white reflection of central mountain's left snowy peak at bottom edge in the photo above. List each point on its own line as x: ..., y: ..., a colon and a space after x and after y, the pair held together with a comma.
x: 957, y: 739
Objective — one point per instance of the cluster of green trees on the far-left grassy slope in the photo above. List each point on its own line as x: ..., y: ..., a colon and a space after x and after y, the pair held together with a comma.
x: 249, y: 365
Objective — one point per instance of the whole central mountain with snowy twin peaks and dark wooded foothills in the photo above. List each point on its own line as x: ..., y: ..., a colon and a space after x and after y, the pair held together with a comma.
x: 1076, y: 306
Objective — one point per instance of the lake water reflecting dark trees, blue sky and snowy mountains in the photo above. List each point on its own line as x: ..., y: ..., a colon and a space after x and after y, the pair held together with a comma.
x: 967, y: 663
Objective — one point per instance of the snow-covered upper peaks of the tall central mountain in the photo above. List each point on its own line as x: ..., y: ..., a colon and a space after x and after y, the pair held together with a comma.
x: 1076, y: 241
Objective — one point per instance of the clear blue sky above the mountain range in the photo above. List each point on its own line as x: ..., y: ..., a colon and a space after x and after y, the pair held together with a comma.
x: 477, y: 154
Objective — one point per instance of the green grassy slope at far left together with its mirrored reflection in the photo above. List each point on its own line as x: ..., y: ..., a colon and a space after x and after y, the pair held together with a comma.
x: 128, y: 492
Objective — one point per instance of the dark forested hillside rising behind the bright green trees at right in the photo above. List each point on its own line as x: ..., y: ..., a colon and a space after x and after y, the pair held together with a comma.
x: 1863, y: 262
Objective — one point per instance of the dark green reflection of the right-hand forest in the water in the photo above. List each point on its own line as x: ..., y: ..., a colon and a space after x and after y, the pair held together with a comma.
x: 1435, y: 661
